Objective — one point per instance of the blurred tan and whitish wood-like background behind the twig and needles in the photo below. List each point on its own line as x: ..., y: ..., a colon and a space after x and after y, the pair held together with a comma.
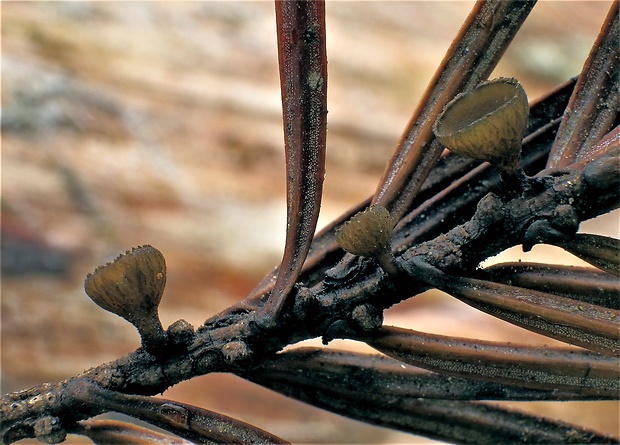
x: 127, y: 123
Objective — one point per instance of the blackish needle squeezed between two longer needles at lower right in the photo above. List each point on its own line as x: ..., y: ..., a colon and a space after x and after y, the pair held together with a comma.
x: 377, y: 374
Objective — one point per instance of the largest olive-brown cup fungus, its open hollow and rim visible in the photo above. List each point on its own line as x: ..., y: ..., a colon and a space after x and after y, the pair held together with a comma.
x: 487, y: 123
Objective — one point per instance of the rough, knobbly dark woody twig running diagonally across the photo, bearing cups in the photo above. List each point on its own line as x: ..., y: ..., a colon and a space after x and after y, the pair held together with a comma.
x: 232, y: 341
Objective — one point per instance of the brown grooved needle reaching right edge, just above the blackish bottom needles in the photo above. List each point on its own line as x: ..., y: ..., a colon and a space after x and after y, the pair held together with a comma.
x: 579, y: 371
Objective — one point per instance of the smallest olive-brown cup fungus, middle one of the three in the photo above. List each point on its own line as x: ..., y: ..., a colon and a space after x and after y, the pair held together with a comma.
x: 369, y: 234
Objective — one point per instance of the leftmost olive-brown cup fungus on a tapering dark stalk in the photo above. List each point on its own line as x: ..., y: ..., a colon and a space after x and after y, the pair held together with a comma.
x: 131, y: 287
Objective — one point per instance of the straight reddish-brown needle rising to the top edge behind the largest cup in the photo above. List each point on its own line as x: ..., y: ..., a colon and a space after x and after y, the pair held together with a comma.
x: 474, y: 53
